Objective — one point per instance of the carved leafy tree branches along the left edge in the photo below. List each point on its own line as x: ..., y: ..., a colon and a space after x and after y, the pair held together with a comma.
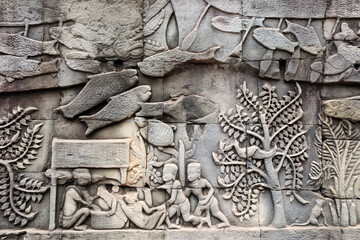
x: 18, y: 147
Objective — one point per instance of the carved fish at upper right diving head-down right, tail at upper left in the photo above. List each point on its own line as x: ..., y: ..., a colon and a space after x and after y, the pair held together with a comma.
x: 307, y: 37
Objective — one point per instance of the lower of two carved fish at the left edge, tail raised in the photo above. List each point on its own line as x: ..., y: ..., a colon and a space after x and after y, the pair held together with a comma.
x: 43, y: 68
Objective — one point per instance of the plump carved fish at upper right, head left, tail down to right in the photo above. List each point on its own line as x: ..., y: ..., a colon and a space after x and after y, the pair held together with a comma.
x: 272, y: 39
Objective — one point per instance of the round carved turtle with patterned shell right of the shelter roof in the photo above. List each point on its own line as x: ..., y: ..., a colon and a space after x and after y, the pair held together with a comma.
x: 155, y: 132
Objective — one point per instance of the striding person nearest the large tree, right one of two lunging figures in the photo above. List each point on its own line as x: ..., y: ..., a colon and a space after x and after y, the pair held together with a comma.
x: 206, y: 202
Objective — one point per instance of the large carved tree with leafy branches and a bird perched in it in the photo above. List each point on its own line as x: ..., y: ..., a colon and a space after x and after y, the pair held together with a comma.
x: 266, y: 137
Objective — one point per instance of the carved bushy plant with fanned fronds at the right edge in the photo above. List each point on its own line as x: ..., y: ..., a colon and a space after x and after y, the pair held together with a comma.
x: 340, y: 162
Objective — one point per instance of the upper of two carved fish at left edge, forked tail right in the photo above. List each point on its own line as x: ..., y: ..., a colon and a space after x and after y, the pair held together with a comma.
x: 15, y: 44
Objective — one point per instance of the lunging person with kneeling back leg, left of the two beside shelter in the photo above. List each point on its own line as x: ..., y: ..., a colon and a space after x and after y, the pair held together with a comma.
x: 178, y: 203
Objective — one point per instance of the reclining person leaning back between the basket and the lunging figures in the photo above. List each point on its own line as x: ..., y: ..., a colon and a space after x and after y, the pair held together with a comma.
x: 138, y: 211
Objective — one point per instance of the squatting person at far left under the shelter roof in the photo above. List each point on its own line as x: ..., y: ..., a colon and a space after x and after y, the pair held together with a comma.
x: 76, y: 202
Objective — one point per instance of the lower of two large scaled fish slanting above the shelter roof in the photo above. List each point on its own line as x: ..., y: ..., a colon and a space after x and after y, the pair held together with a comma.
x: 120, y: 107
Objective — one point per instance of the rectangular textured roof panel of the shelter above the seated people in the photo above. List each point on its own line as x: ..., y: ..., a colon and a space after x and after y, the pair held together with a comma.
x: 110, y: 153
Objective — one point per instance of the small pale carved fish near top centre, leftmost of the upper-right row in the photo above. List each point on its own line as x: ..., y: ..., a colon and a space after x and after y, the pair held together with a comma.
x: 235, y: 24
